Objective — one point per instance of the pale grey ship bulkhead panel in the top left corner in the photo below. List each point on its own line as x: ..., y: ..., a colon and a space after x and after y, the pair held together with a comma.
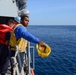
x: 8, y: 8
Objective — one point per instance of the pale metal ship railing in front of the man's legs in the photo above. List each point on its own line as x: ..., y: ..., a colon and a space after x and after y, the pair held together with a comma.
x: 27, y: 61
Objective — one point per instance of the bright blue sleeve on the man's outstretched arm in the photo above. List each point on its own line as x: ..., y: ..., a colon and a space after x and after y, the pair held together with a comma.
x: 22, y: 32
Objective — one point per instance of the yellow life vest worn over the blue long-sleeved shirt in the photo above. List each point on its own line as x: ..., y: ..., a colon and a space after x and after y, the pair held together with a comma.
x: 21, y: 43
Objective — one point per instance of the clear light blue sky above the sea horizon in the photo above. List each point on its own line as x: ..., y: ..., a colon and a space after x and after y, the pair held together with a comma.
x: 52, y: 12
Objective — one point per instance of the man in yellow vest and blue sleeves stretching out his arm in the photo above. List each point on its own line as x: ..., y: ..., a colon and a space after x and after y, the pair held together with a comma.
x: 20, y: 36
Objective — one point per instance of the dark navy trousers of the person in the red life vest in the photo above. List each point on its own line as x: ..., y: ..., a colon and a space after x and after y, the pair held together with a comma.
x: 4, y: 62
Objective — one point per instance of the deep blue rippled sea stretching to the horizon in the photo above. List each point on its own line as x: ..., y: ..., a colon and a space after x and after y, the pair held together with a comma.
x: 62, y: 40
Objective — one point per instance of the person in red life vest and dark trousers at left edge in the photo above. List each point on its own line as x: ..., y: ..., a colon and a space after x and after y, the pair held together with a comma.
x: 5, y: 33
